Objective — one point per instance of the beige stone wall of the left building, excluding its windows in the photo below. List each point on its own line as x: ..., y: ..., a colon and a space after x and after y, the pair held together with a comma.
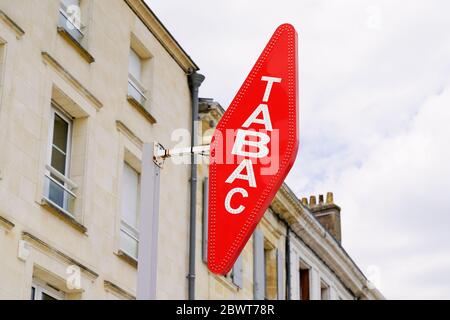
x: 106, y: 129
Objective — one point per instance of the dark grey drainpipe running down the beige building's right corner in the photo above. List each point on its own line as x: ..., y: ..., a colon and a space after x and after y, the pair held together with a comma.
x: 195, y: 81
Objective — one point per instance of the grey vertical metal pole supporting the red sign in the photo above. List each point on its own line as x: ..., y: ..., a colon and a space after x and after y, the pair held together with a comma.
x: 149, y: 222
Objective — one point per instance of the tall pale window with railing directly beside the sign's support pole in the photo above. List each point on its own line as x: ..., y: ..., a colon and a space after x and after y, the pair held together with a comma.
x: 129, y: 226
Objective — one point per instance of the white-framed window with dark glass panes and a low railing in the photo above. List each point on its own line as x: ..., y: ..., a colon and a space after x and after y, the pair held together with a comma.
x: 59, y: 189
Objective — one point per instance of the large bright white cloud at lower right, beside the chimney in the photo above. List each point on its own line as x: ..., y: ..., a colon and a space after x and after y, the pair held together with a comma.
x: 395, y: 204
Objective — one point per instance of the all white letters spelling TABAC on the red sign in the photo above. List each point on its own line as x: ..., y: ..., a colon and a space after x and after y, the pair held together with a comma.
x: 244, y: 139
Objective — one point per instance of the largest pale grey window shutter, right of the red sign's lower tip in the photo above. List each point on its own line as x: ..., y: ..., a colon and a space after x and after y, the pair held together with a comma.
x: 259, y: 278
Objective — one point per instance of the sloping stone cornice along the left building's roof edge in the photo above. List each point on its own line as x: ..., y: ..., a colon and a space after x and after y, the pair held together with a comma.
x: 164, y: 37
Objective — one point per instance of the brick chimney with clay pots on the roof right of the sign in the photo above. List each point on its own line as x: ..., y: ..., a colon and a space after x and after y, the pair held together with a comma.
x: 328, y: 214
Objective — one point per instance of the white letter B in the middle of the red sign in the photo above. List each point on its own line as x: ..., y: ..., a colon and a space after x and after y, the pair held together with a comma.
x: 261, y: 144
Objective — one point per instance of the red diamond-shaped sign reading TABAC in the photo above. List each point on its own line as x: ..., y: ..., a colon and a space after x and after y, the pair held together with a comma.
x: 253, y: 148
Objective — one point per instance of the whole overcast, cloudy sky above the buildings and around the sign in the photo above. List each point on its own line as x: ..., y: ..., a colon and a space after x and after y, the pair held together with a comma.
x: 375, y: 117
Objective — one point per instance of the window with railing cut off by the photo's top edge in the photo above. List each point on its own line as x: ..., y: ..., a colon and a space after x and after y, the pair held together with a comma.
x: 70, y: 18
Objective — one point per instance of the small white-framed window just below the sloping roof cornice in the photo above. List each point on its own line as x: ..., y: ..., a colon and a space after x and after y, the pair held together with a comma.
x: 135, y: 88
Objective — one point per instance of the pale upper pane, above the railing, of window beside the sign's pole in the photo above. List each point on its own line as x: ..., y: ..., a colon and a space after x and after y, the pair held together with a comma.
x: 130, y: 196
